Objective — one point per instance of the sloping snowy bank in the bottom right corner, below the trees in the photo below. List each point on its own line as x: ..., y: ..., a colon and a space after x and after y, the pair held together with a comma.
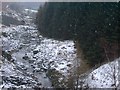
x: 106, y: 76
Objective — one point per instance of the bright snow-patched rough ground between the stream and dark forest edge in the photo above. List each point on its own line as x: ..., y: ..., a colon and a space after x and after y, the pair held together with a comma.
x: 57, y: 54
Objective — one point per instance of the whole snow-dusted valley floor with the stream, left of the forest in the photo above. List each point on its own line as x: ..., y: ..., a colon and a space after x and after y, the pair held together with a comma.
x: 32, y: 55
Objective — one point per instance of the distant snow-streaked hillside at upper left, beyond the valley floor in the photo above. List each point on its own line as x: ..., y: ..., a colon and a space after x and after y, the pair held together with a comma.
x: 11, y: 16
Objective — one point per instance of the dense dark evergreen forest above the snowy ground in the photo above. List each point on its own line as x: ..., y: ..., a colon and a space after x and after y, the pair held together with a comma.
x: 89, y: 23
